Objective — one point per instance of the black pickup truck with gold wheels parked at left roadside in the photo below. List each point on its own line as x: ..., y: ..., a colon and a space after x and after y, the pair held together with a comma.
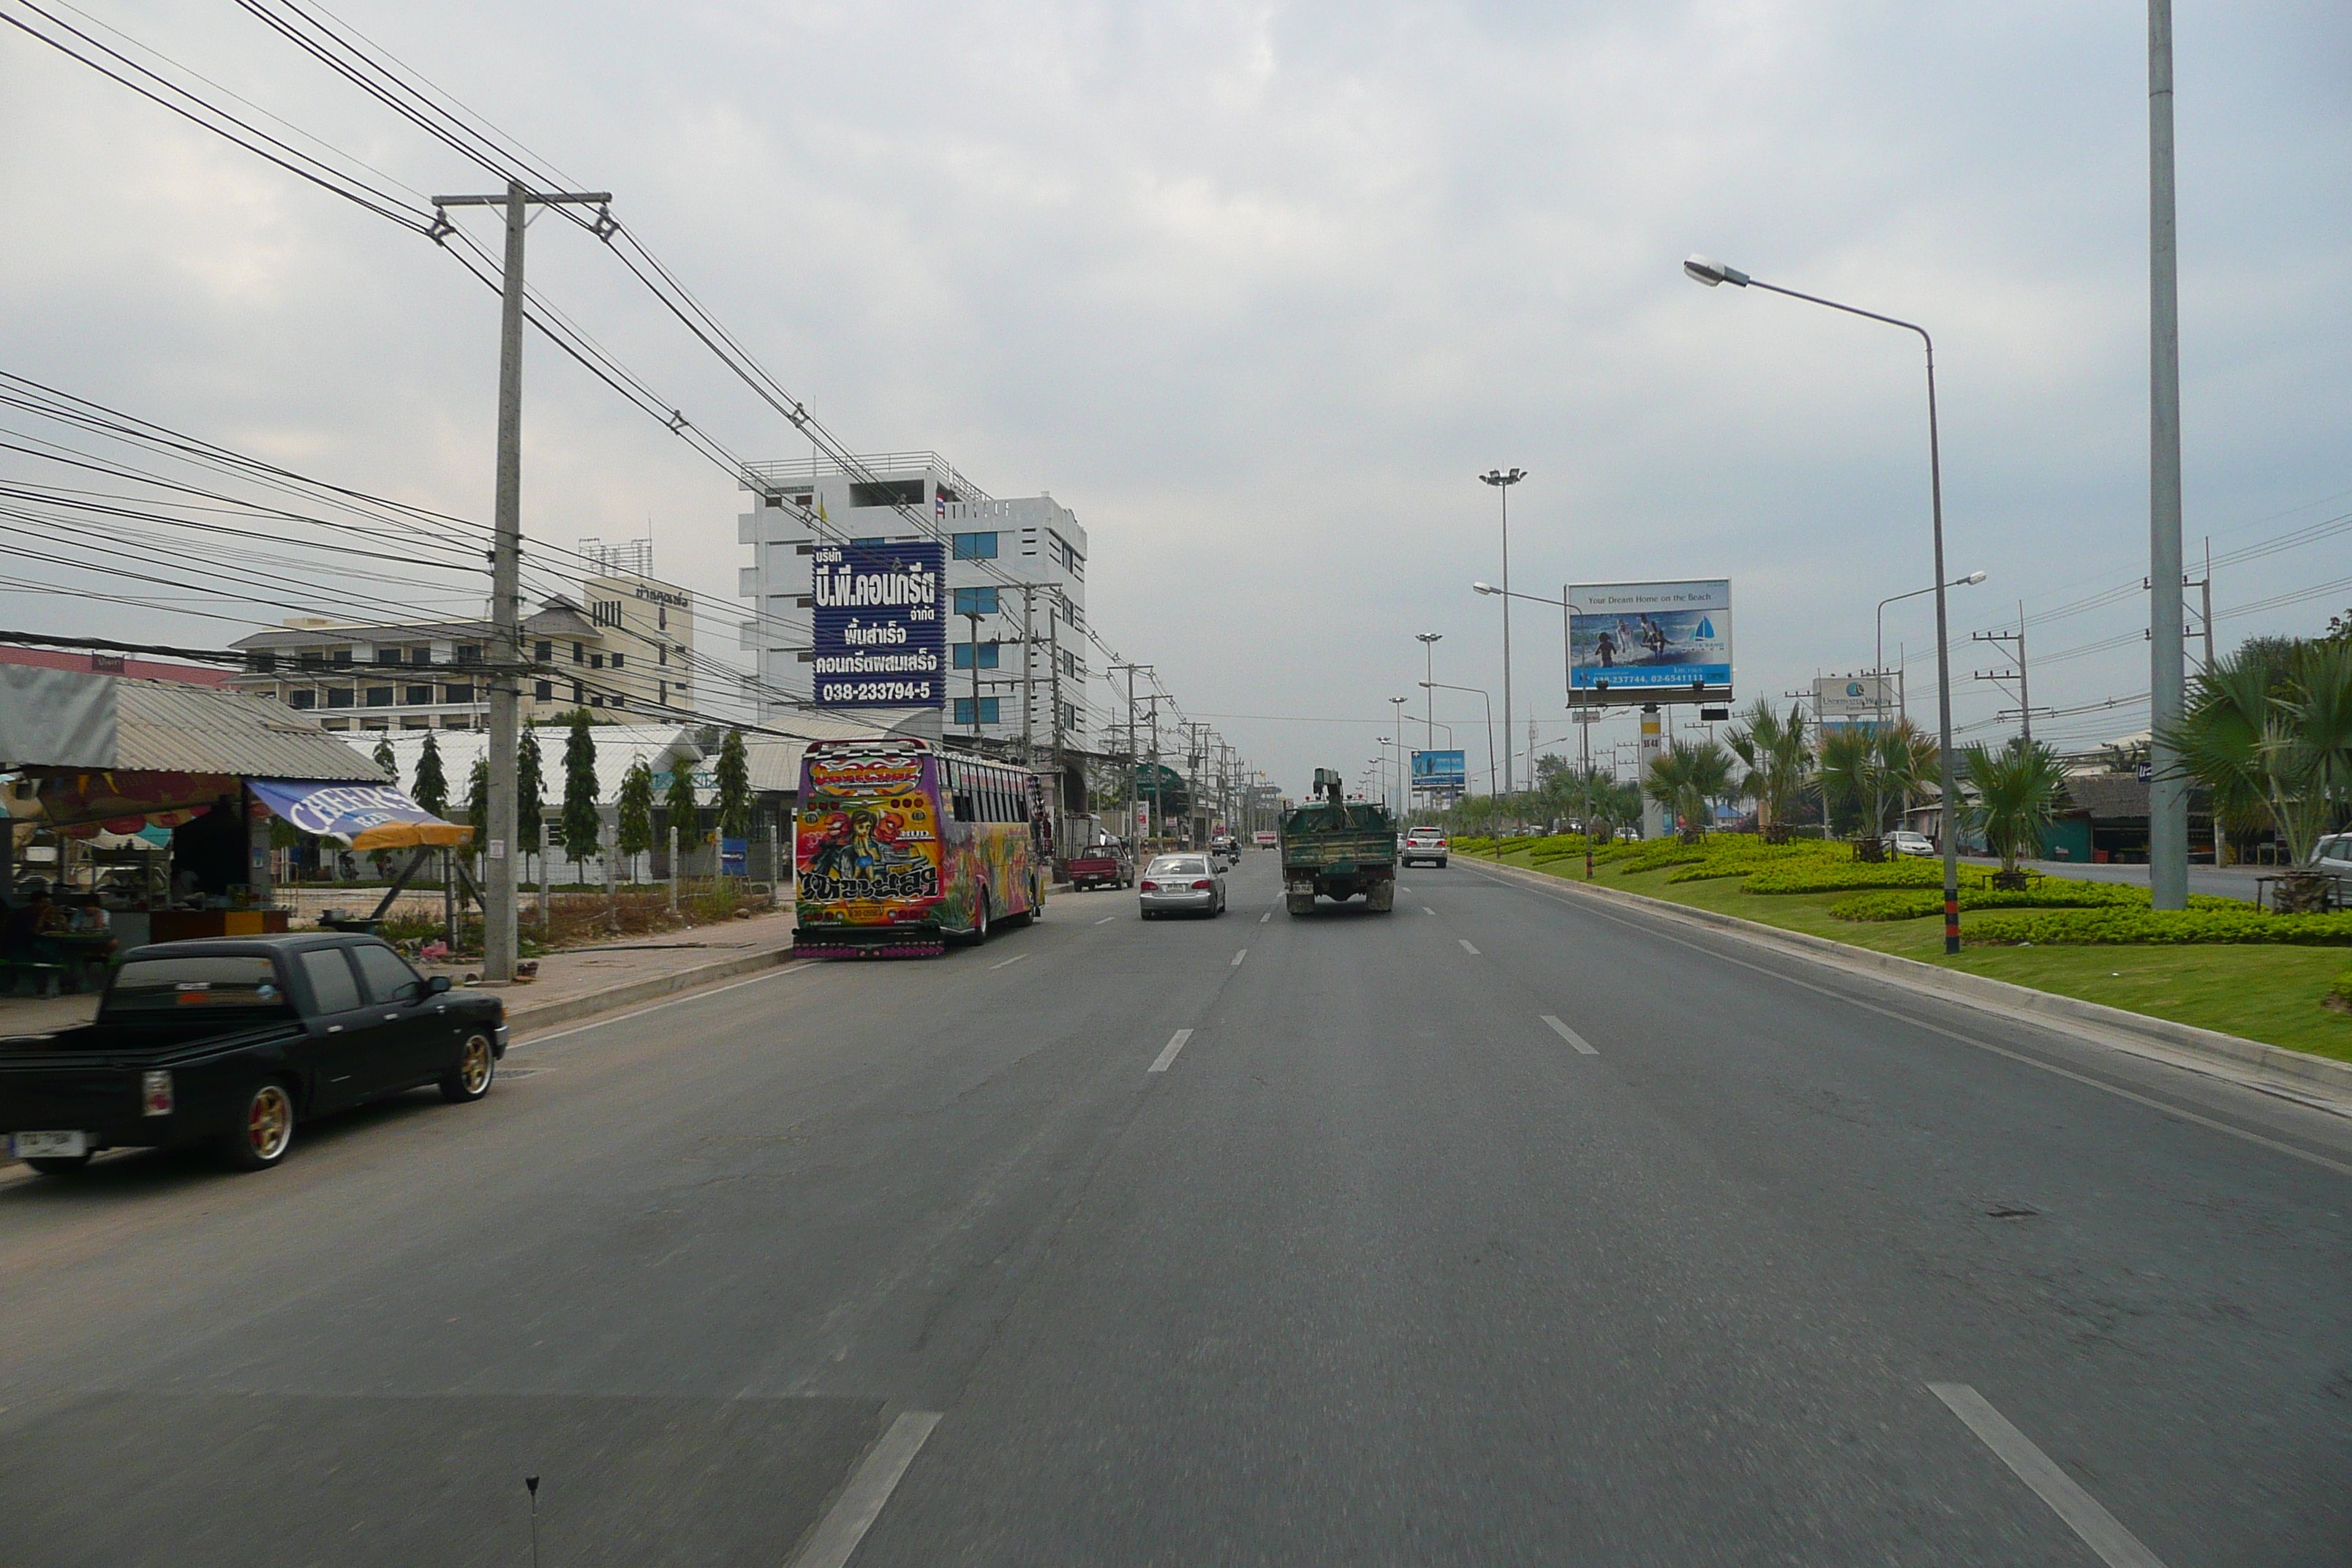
x: 232, y: 1040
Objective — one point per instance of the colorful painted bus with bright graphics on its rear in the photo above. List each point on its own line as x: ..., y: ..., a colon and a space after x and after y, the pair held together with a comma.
x: 902, y: 850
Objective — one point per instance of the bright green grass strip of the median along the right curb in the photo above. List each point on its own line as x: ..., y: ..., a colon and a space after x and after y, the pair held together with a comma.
x: 2276, y: 996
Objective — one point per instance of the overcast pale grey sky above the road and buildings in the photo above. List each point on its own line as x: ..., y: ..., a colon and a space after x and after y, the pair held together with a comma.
x: 1259, y: 290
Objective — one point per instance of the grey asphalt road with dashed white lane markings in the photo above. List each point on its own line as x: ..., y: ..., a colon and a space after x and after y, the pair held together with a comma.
x: 1506, y: 1228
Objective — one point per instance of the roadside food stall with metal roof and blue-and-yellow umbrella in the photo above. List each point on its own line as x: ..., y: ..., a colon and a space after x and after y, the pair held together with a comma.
x: 211, y: 768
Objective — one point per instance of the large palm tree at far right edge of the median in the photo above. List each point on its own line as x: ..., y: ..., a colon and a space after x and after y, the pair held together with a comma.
x: 2271, y: 737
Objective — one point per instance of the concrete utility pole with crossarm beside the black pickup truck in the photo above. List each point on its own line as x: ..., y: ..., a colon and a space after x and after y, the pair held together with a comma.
x: 500, y: 855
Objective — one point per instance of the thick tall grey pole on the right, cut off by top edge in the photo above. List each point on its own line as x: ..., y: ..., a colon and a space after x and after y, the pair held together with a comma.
x: 2167, y: 791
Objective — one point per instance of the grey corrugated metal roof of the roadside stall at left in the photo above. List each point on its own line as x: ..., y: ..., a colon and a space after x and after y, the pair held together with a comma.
x: 173, y: 728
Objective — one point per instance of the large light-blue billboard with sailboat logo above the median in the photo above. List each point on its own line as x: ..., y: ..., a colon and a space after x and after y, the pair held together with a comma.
x: 1643, y: 643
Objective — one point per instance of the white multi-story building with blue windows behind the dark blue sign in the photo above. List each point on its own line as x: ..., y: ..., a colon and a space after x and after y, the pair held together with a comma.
x: 1022, y: 565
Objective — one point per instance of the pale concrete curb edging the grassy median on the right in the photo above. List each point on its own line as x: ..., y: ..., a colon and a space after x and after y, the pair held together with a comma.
x: 2285, y: 1068
